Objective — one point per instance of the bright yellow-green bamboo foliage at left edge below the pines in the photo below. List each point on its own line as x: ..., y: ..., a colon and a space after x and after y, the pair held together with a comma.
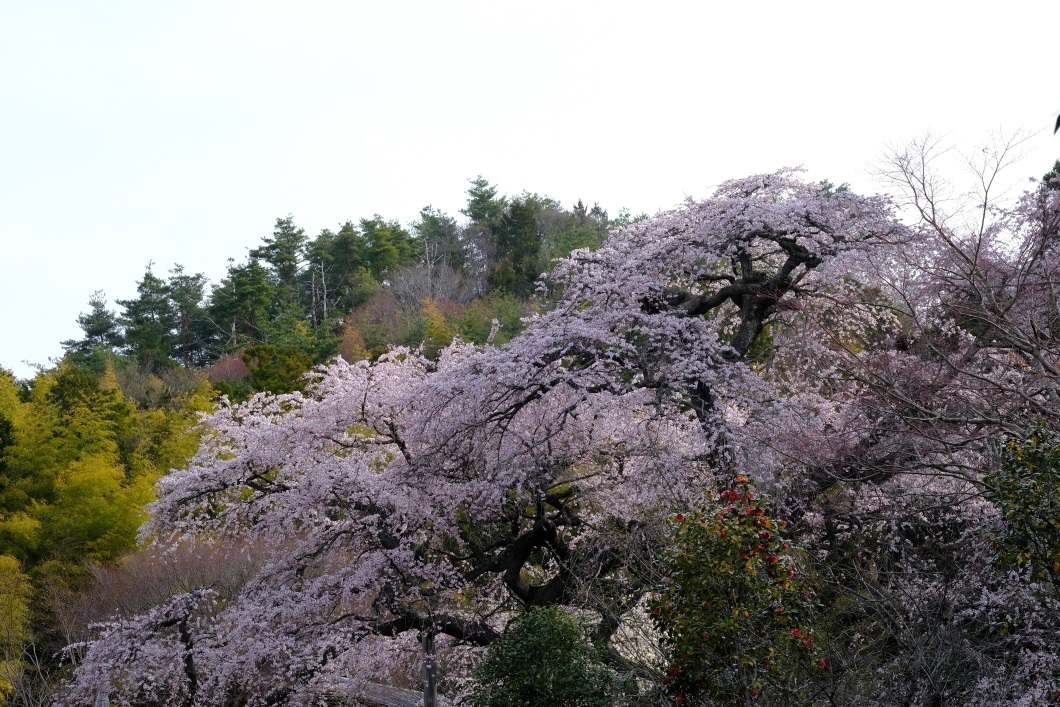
x: 82, y: 464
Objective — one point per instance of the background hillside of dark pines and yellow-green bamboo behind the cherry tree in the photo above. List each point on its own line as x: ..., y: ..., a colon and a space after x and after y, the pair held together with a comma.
x: 84, y: 444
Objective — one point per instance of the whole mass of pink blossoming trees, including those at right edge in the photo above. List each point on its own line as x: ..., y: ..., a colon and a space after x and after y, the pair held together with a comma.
x: 862, y: 372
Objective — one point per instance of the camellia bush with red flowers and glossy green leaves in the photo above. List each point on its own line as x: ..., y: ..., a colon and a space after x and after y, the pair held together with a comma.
x: 733, y: 611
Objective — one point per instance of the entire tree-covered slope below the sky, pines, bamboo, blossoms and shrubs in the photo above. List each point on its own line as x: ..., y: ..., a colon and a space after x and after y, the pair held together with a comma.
x: 786, y: 446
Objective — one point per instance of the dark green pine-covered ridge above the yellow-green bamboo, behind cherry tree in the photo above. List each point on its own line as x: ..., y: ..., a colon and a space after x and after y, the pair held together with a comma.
x: 298, y: 301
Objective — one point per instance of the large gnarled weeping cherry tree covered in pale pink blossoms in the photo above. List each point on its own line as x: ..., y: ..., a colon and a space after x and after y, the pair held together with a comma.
x: 410, y: 496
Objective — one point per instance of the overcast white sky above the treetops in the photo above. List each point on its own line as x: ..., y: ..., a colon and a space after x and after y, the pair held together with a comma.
x: 179, y: 132
